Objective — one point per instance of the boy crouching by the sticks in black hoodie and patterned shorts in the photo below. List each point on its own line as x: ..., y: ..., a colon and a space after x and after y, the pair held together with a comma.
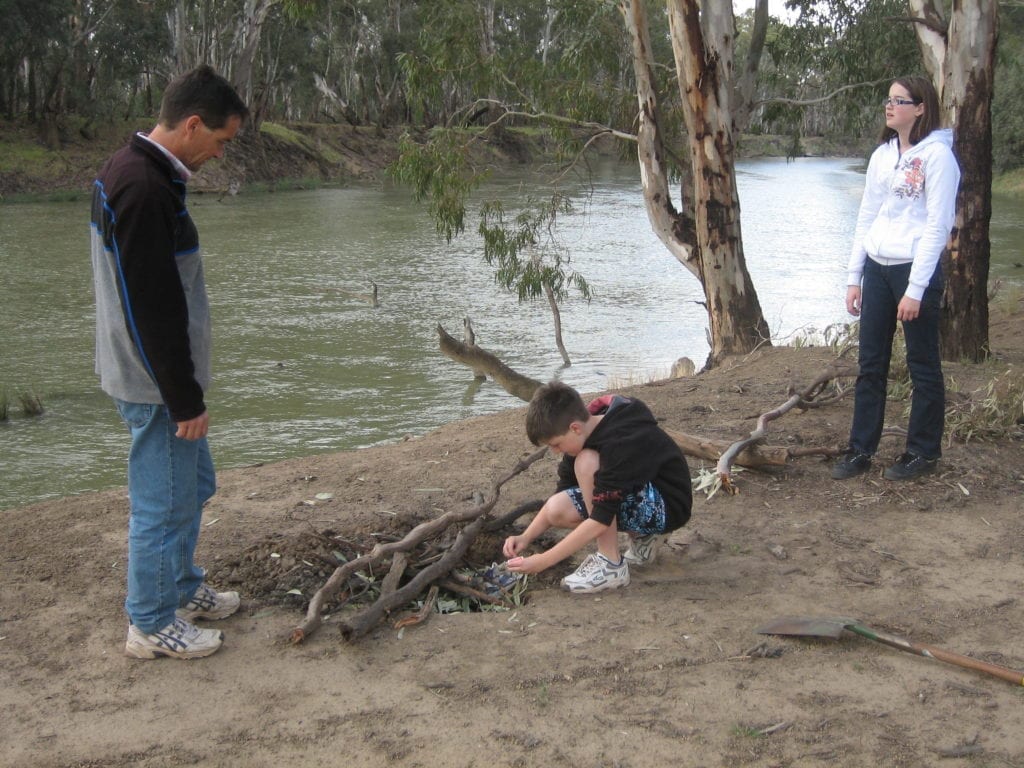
x: 620, y: 472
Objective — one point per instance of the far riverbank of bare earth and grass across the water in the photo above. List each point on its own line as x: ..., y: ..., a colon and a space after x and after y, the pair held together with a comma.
x: 284, y: 157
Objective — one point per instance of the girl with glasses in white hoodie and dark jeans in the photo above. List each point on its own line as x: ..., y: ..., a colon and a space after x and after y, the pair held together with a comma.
x: 905, y: 221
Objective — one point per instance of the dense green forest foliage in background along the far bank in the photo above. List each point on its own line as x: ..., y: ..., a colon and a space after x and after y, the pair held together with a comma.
x: 442, y: 63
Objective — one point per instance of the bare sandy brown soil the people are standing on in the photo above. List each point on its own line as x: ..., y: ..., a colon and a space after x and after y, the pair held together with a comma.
x: 669, y: 671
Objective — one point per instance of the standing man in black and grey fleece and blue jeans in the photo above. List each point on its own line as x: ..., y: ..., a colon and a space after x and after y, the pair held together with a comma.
x: 153, y: 358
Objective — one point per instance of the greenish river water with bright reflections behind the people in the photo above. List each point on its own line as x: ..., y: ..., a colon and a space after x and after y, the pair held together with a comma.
x: 302, y: 367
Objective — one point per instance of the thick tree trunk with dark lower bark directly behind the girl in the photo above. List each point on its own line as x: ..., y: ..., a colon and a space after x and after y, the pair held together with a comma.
x: 960, y: 57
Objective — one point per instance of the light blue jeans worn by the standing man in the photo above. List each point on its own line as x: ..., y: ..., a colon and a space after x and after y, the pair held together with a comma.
x: 169, y: 481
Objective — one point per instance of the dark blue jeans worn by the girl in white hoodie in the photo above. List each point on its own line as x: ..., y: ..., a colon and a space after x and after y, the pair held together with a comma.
x: 881, y: 293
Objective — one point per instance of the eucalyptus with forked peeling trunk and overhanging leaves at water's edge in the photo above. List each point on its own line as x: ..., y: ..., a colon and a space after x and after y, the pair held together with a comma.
x: 575, y: 81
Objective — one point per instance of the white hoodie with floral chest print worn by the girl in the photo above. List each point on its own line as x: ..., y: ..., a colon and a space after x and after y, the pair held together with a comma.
x: 909, y: 208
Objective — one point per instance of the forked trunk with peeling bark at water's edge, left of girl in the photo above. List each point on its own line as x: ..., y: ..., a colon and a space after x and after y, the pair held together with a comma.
x: 706, y: 236
